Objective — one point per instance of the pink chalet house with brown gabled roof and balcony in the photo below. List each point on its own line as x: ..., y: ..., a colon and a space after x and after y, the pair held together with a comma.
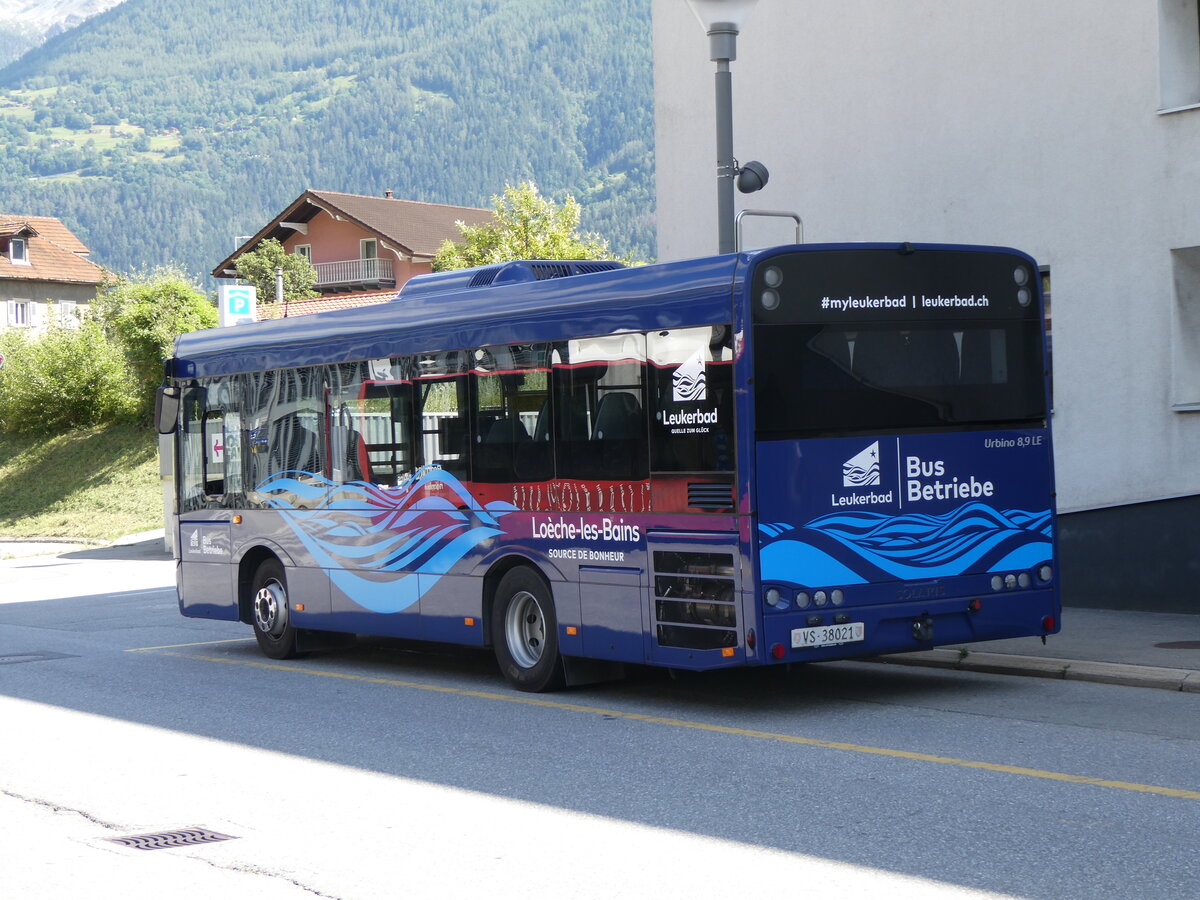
x: 363, y: 248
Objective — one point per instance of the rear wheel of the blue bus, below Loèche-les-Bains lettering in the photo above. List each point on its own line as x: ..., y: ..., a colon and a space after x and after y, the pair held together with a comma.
x: 525, y: 633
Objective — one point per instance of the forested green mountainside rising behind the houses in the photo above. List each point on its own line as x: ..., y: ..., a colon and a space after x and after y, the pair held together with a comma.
x: 164, y: 129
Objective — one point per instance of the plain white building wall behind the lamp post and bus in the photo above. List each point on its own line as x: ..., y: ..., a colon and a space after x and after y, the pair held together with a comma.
x: 1019, y: 123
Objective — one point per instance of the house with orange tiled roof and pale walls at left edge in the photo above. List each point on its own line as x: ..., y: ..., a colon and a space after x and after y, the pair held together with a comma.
x: 45, y: 273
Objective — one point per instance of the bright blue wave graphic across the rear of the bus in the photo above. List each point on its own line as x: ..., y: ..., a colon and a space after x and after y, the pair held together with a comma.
x: 860, y: 548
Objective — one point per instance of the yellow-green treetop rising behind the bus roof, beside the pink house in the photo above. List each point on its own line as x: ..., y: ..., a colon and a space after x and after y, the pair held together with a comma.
x: 526, y: 226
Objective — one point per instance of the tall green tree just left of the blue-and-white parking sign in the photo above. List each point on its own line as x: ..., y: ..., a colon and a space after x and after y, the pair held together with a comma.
x: 143, y: 316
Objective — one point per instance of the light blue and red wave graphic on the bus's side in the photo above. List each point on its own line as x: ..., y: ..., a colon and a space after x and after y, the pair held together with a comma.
x: 375, y: 541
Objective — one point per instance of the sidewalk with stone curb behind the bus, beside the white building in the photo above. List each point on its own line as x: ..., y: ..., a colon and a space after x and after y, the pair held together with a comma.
x: 1143, y: 650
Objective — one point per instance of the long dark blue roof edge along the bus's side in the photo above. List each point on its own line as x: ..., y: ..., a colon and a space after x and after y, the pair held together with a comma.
x: 430, y: 319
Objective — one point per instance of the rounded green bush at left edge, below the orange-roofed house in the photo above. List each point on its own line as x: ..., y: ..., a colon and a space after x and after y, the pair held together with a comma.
x: 67, y: 379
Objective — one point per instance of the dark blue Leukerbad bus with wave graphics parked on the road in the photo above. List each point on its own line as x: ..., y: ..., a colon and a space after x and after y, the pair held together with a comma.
x: 796, y: 454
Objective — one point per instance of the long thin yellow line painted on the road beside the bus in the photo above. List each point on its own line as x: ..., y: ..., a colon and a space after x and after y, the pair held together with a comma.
x: 527, y: 700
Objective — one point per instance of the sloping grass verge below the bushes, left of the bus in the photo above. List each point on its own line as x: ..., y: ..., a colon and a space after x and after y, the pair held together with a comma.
x: 98, y: 484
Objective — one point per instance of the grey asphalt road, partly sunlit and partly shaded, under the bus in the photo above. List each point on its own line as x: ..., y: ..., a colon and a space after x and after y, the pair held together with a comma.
x: 394, y: 770
